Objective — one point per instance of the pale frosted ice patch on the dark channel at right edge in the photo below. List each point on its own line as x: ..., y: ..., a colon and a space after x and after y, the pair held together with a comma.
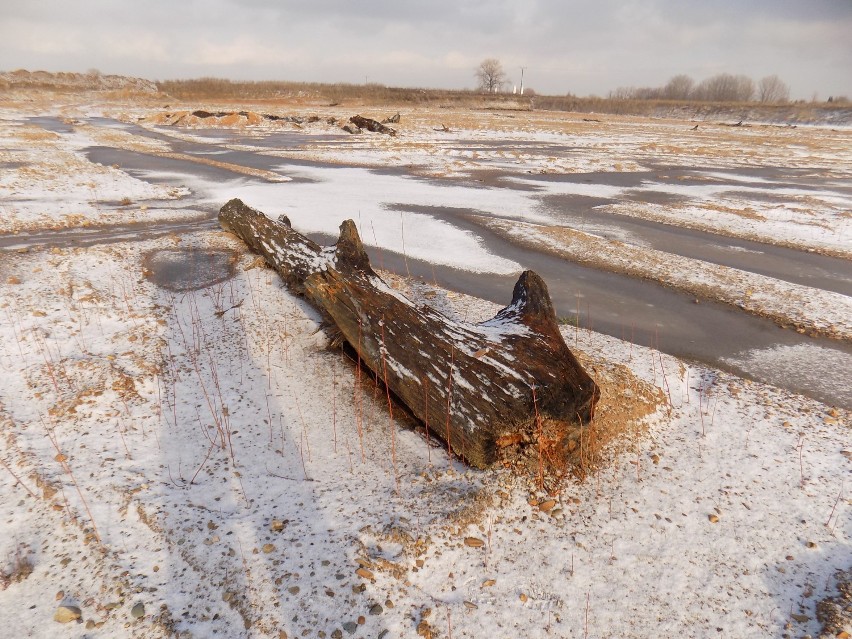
x: 824, y: 373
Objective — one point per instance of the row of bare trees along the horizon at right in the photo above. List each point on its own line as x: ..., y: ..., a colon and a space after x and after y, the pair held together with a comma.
x: 722, y: 87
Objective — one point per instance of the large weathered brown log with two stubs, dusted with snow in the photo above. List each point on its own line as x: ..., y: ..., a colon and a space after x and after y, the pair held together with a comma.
x: 477, y: 386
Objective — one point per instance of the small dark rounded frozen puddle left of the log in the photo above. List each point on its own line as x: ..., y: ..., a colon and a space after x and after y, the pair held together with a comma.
x: 189, y: 270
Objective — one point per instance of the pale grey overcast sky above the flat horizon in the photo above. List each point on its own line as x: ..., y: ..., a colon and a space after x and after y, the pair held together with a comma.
x: 578, y: 46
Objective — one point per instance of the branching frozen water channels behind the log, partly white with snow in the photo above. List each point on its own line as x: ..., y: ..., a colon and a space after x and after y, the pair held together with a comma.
x: 429, y: 219
